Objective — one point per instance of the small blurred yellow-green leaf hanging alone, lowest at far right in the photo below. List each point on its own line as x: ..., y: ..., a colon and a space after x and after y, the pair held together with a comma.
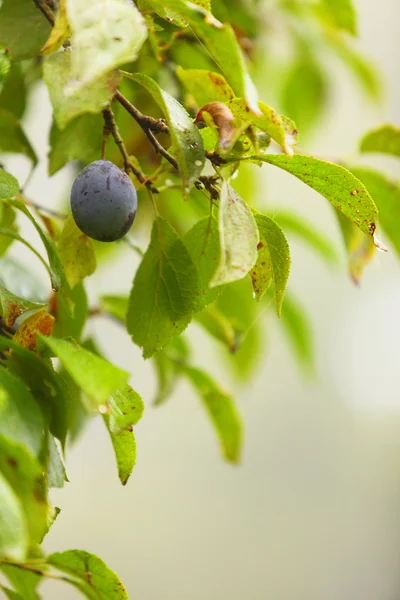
x: 298, y: 331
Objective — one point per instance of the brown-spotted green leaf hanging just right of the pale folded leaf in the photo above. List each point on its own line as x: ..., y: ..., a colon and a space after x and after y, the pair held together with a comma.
x: 273, y: 262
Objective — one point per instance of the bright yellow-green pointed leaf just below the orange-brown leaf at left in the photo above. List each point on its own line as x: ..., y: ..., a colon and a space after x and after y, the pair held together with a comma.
x: 94, y: 375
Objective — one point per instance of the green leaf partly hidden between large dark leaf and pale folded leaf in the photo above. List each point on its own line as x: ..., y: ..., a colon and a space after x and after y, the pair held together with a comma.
x: 202, y: 243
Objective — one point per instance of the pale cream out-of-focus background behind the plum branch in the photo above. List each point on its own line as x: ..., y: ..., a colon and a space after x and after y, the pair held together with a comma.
x: 313, y: 510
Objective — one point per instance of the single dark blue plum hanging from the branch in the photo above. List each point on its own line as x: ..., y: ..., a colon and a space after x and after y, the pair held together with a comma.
x: 103, y: 201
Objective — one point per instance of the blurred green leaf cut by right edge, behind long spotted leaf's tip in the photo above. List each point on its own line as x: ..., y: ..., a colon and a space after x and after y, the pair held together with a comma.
x: 386, y: 195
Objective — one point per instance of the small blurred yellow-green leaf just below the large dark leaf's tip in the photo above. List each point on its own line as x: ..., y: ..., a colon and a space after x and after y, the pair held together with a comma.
x: 168, y: 367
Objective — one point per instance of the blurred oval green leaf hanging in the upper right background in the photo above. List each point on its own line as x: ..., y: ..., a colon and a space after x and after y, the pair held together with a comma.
x: 304, y: 91
